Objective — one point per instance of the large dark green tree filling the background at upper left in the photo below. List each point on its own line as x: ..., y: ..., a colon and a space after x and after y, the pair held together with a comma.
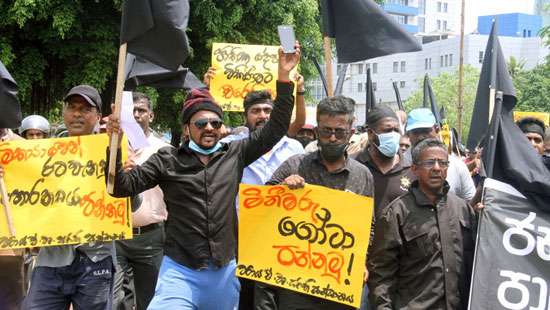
x: 51, y: 45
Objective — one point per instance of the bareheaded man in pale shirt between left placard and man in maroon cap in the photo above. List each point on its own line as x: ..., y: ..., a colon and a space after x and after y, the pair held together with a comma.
x: 139, y: 258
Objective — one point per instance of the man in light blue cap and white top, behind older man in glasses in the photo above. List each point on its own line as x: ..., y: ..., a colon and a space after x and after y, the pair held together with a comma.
x: 421, y: 124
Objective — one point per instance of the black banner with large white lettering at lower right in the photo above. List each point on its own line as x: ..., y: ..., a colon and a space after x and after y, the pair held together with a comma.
x: 512, y: 252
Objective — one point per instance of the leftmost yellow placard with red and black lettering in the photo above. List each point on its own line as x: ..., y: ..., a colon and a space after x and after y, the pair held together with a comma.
x: 57, y: 193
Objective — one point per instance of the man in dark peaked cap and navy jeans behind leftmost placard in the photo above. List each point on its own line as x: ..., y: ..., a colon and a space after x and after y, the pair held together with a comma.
x: 82, y: 274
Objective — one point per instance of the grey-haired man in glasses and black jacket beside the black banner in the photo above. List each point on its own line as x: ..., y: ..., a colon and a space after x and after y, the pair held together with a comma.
x: 422, y: 253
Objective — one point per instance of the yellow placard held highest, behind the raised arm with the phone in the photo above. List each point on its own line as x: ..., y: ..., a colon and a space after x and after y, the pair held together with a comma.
x: 241, y: 69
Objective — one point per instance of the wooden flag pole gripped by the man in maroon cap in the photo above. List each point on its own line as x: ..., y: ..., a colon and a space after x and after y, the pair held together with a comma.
x: 113, y: 143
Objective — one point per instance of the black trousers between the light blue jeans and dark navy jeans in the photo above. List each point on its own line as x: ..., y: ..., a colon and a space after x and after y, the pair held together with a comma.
x: 138, y: 265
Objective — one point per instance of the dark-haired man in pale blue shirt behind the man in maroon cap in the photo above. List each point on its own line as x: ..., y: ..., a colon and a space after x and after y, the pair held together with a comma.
x: 258, y: 106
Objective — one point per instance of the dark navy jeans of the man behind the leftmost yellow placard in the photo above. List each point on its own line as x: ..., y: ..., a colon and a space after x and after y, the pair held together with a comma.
x: 85, y: 284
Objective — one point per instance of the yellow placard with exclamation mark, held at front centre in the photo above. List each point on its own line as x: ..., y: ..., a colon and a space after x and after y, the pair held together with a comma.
x: 313, y: 240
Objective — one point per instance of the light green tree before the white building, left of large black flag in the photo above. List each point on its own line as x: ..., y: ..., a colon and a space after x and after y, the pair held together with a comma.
x: 445, y: 87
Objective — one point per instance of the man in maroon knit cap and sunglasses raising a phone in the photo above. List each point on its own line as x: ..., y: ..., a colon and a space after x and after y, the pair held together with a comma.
x: 200, y: 181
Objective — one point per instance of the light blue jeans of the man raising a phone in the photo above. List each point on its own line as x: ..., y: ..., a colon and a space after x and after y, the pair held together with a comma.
x: 180, y: 287
